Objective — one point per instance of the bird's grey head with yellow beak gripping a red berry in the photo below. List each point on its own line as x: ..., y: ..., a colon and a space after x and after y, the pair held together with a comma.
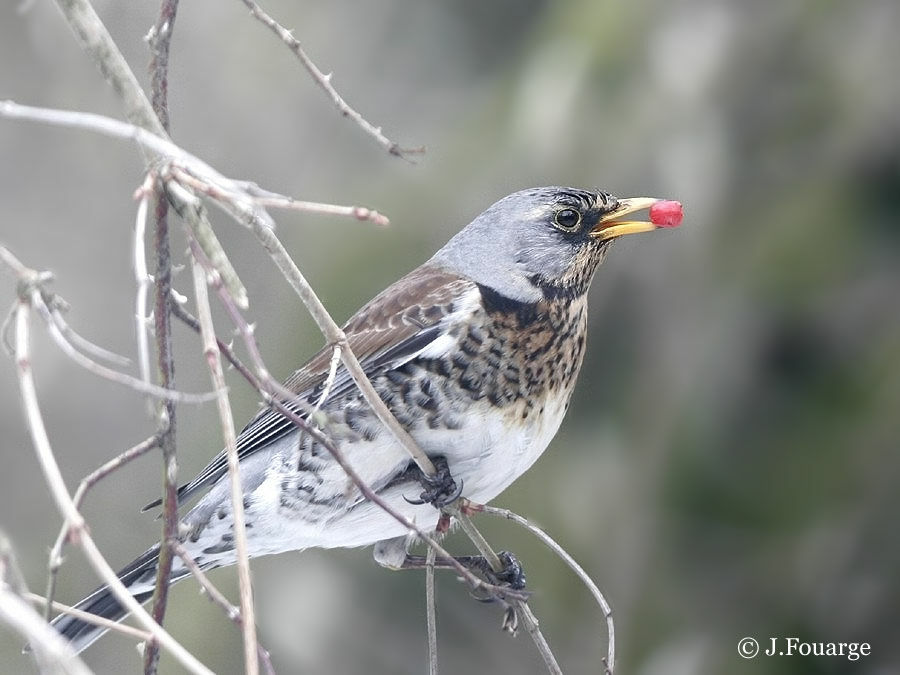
x: 548, y: 241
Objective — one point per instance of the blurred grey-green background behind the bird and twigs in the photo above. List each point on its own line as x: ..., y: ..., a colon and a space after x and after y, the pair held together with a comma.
x: 729, y: 465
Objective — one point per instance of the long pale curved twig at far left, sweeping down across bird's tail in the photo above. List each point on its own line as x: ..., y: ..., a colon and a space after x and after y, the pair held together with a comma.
x: 64, y: 502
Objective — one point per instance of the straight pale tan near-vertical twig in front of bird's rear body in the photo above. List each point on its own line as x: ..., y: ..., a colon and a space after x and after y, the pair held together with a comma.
x: 226, y: 420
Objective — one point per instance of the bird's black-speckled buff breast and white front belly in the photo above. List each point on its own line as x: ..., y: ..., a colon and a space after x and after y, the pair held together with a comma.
x: 496, y: 398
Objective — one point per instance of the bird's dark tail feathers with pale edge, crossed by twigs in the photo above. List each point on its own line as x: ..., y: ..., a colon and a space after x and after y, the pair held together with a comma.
x: 139, y: 578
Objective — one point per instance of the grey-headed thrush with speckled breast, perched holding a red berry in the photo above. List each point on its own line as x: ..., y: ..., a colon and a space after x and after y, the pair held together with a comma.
x: 476, y: 353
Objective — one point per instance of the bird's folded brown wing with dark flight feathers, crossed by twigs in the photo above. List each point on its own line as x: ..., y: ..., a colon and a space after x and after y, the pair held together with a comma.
x: 388, y: 331
